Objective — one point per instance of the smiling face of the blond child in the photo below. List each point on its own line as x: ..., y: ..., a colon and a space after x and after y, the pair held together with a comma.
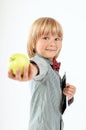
x: 49, y: 46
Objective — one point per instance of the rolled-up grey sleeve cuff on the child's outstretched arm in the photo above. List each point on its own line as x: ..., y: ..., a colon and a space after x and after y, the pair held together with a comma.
x: 42, y: 66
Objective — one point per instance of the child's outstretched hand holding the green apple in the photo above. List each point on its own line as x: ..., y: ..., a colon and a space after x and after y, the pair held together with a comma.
x: 29, y: 73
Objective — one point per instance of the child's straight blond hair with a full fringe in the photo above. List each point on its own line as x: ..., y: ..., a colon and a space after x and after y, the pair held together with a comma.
x: 42, y: 26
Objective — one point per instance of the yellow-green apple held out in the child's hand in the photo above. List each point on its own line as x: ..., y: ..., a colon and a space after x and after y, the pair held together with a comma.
x: 18, y: 60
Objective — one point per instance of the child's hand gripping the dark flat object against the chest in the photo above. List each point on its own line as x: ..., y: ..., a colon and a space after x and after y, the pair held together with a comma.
x: 69, y: 91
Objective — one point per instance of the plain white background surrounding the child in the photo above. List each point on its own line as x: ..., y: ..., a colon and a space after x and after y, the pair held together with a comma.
x: 16, y: 16
